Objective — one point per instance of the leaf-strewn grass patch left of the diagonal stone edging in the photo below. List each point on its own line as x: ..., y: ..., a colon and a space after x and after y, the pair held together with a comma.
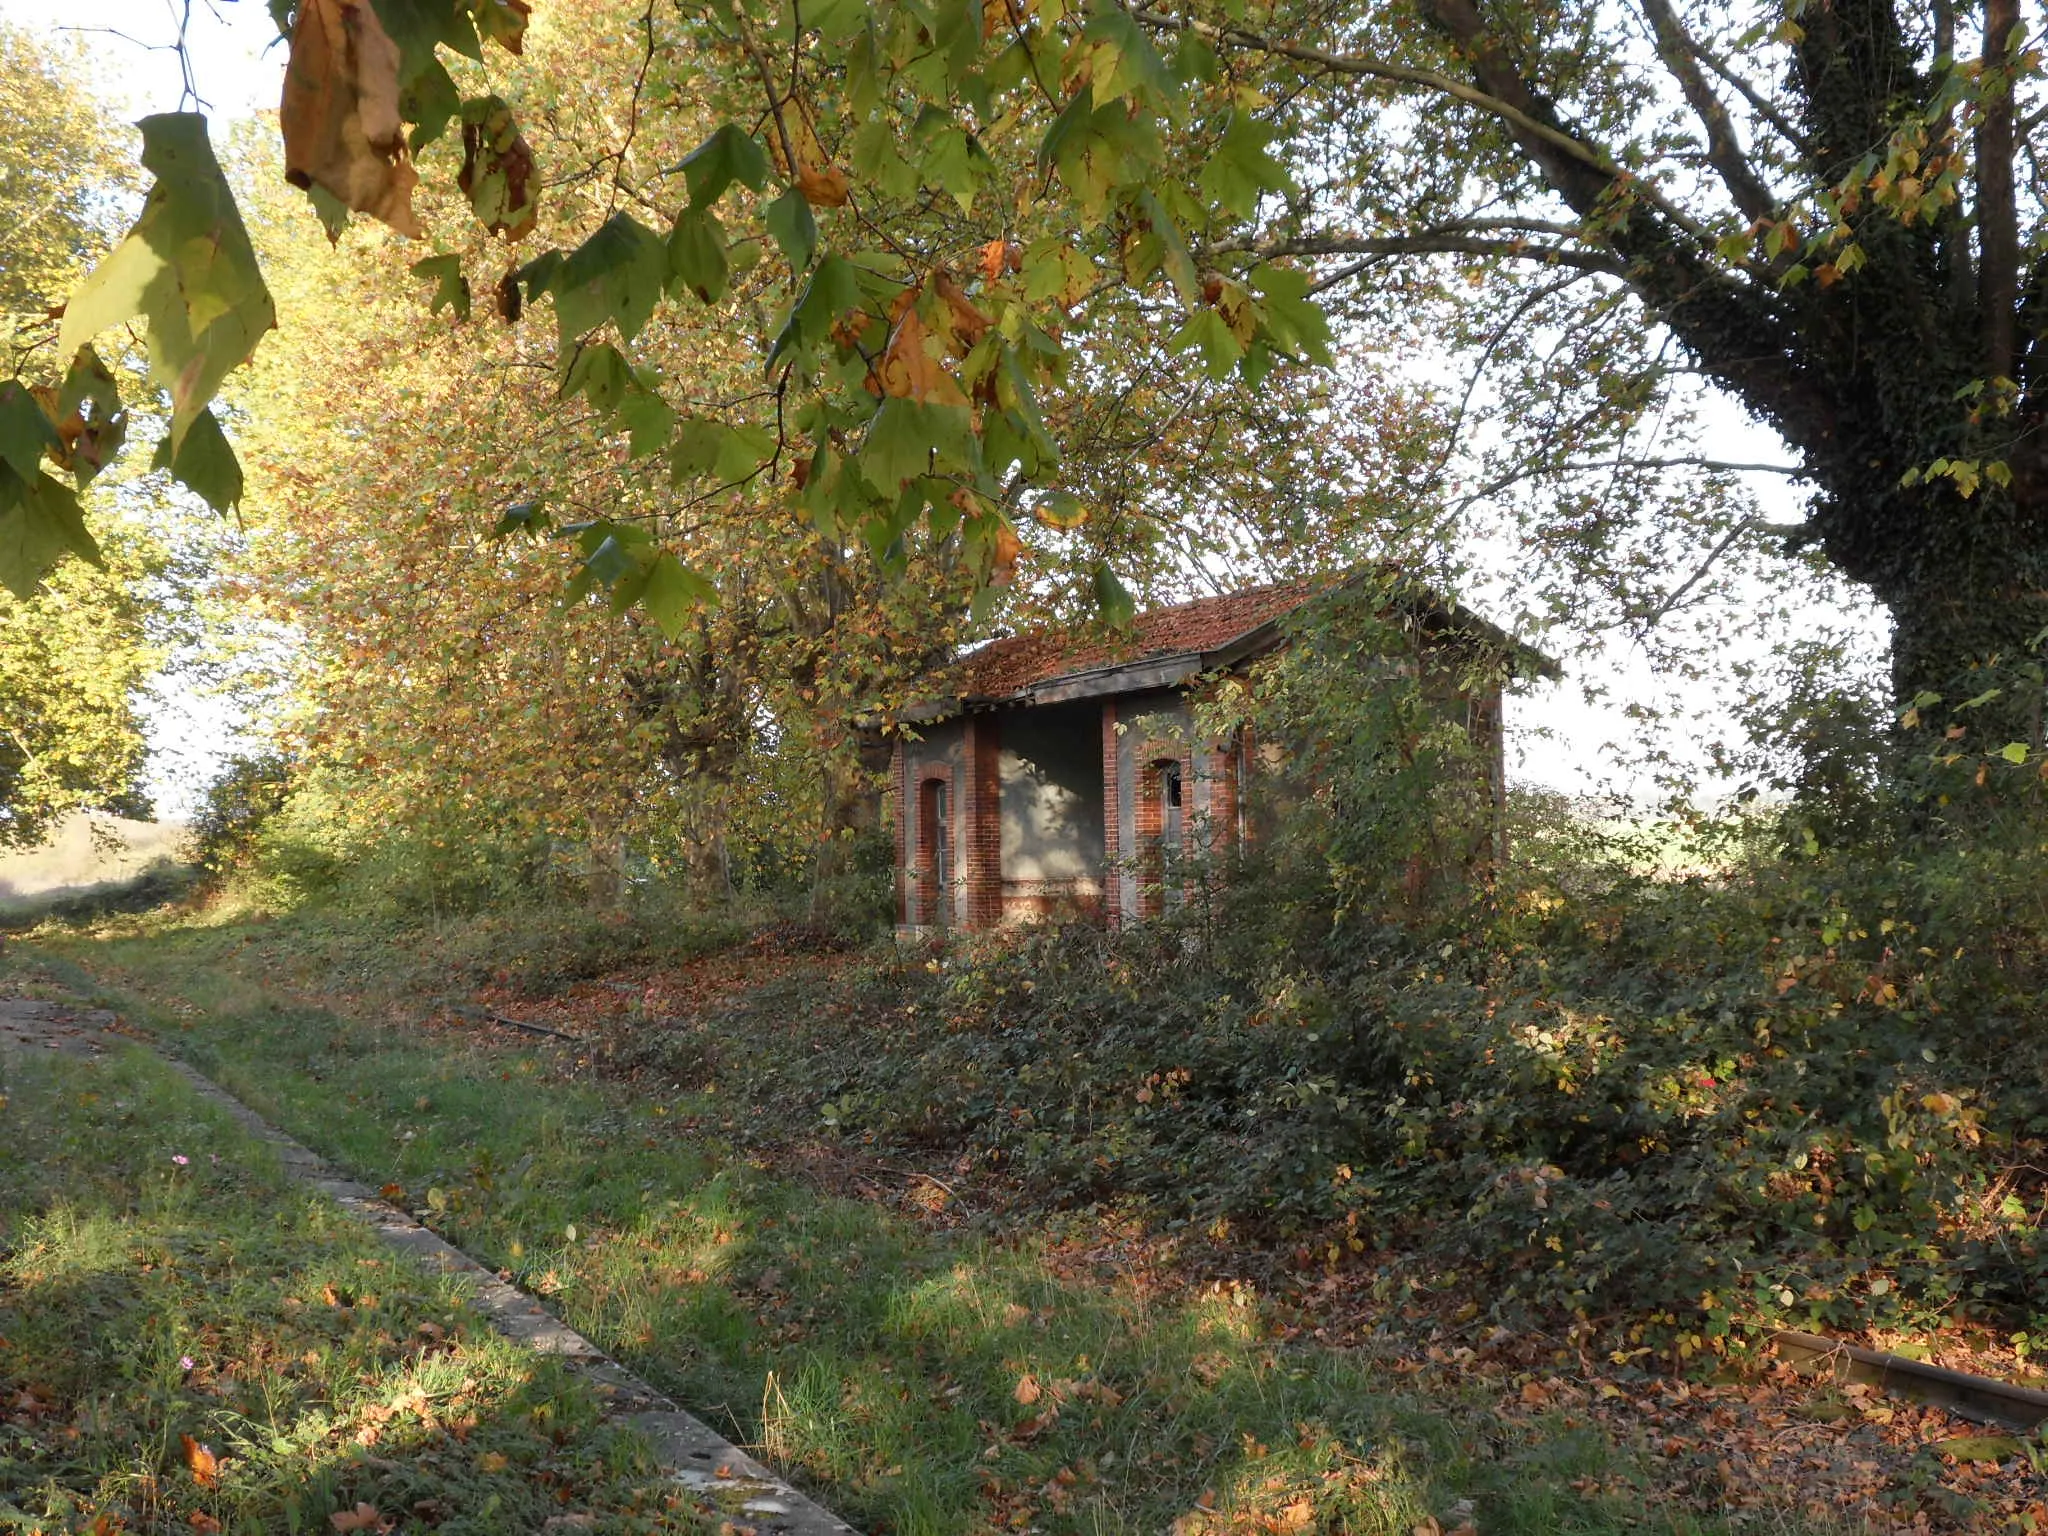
x: 191, y: 1342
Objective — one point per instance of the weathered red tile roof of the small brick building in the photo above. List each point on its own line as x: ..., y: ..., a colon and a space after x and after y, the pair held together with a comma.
x: 1009, y: 667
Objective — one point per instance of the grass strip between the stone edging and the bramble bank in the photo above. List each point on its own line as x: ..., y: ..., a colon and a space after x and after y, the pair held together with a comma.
x: 919, y: 1381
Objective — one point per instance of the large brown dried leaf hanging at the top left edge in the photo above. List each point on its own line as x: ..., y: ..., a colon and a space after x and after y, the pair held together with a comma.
x: 341, y: 118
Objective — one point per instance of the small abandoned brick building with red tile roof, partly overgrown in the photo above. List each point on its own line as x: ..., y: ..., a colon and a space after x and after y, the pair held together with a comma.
x: 1058, y: 777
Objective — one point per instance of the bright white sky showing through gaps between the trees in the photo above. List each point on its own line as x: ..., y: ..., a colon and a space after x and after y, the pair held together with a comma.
x: 1558, y: 736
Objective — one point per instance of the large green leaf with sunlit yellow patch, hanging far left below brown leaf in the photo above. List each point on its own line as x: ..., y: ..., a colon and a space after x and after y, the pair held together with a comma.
x: 187, y: 267
